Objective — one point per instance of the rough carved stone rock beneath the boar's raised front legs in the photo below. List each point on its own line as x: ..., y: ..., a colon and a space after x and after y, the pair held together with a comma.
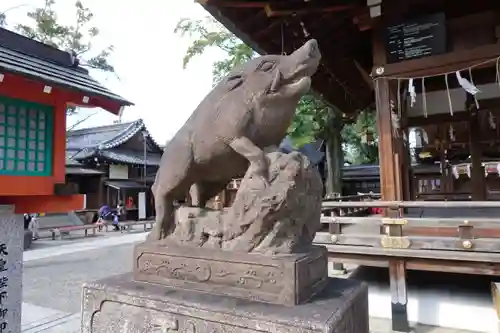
x: 278, y: 214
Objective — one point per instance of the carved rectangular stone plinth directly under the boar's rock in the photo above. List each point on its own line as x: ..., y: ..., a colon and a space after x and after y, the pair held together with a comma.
x: 281, y: 279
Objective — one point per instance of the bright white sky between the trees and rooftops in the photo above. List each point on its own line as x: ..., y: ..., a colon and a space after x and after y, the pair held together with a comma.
x: 147, y: 58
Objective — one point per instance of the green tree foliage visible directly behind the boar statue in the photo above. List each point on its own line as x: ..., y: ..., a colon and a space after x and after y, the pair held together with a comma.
x: 313, y: 118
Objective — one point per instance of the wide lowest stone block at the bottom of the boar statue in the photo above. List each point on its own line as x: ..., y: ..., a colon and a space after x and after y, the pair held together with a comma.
x: 121, y: 305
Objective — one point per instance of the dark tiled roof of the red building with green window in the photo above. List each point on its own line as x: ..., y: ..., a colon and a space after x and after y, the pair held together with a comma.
x: 28, y: 57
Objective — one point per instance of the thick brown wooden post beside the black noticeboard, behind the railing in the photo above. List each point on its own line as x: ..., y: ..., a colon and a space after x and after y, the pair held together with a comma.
x: 391, y: 184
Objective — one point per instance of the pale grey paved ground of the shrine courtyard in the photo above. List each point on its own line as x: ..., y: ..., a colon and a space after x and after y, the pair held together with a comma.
x: 55, y: 270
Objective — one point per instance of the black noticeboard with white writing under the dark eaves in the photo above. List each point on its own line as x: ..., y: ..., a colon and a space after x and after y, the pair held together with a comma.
x: 417, y: 38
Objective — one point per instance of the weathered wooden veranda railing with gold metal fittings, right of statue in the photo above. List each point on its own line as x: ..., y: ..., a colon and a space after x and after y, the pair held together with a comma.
x: 396, y: 232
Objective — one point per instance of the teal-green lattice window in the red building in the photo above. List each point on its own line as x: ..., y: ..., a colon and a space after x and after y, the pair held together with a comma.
x: 26, y: 131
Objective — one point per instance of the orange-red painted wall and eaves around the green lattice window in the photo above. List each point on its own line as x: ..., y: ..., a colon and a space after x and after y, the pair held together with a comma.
x: 30, y: 194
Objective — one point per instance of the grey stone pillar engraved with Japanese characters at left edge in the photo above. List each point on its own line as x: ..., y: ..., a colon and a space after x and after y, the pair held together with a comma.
x: 11, y: 262
